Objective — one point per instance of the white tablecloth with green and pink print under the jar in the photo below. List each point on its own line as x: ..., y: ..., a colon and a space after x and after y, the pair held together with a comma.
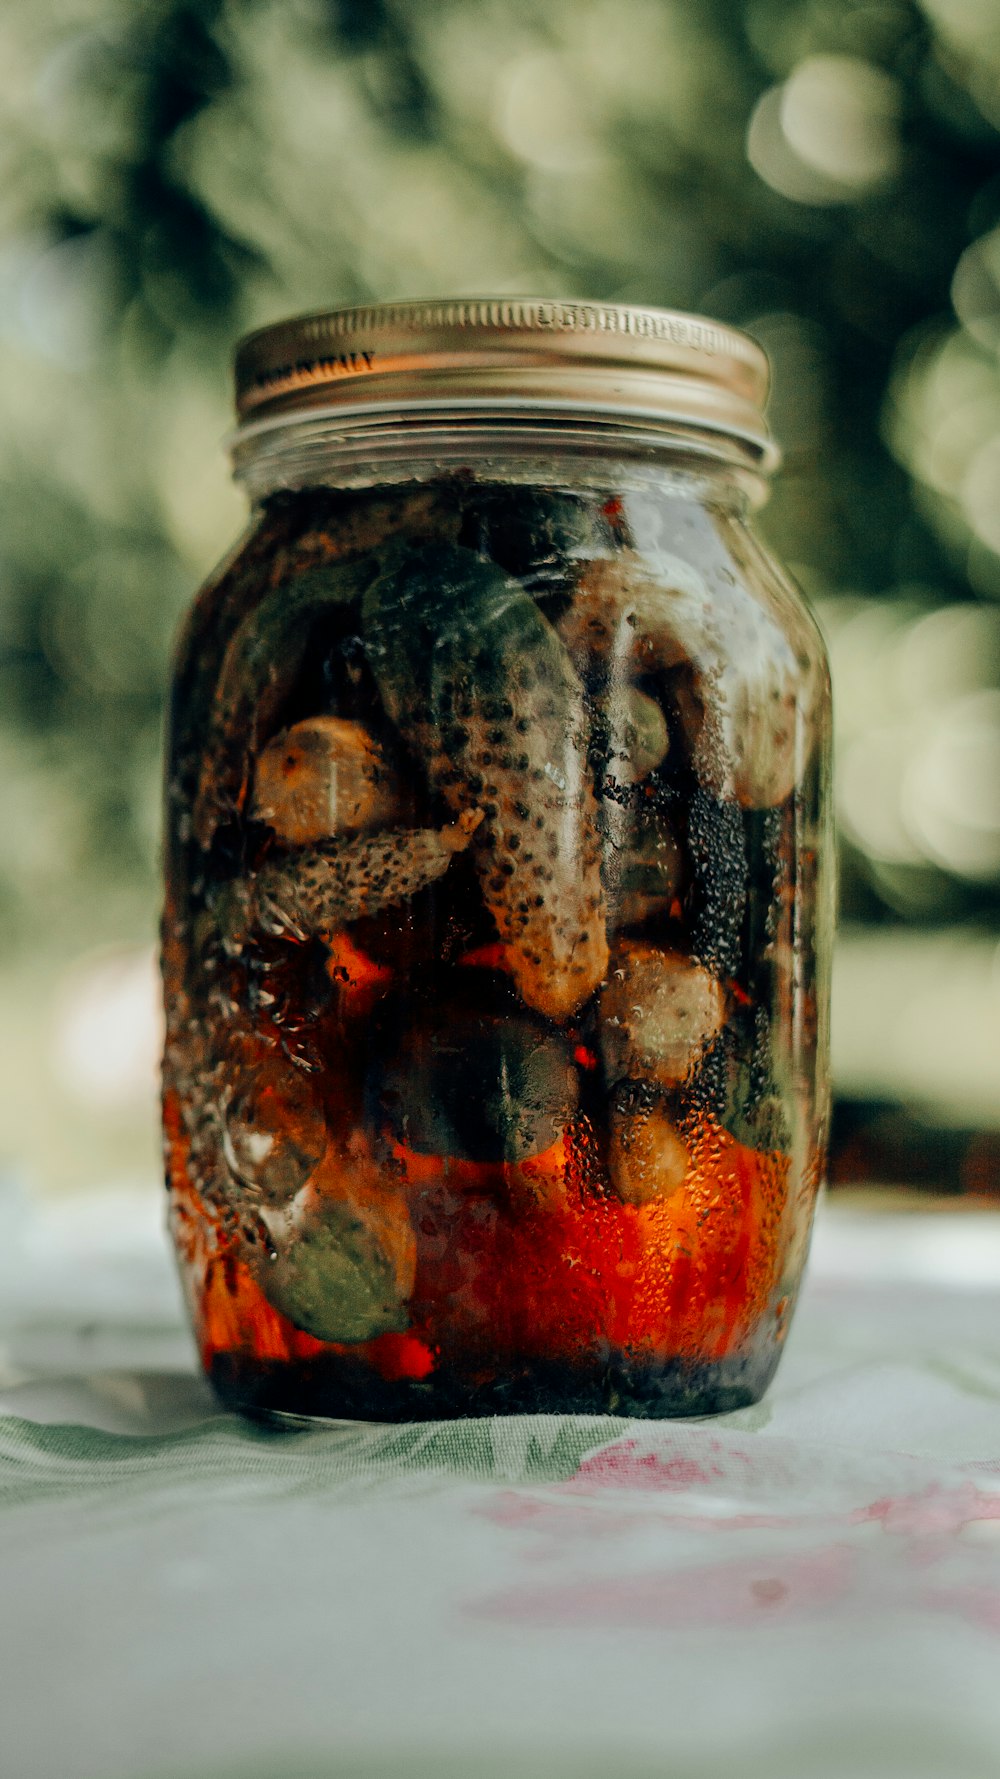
x: 809, y: 1590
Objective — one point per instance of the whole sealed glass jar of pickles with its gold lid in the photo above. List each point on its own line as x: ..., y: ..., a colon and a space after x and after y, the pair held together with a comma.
x: 499, y: 878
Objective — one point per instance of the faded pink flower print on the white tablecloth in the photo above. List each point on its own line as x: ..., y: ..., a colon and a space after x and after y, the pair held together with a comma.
x: 677, y: 1529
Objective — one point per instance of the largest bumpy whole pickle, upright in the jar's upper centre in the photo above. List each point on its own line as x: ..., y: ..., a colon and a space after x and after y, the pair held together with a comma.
x: 483, y: 691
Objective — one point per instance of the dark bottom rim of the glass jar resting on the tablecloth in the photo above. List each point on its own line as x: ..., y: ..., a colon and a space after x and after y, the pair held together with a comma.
x: 335, y: 1389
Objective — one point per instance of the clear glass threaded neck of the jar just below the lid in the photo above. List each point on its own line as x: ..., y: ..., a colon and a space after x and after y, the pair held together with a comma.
x: 385, y: 449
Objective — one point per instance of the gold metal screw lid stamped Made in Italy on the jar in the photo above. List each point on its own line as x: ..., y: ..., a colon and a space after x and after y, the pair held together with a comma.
x: 510, y: 353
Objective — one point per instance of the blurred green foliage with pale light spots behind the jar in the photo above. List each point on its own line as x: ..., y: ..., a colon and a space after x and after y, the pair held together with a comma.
x: 819, y: 172
